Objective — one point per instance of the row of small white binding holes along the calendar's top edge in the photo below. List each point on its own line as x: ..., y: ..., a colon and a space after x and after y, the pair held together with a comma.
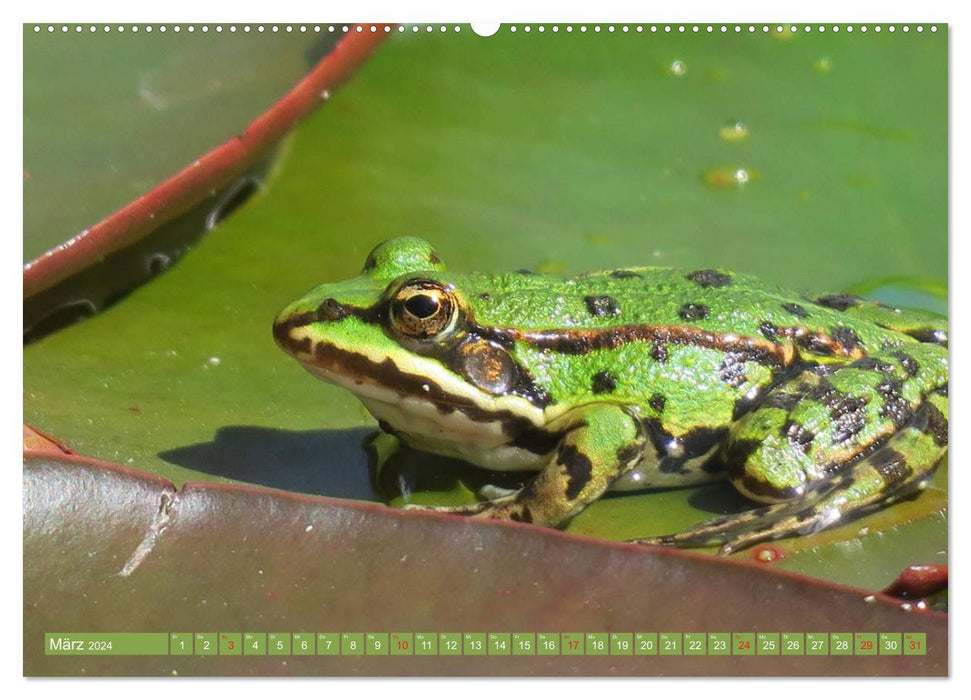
x: 666, y: 28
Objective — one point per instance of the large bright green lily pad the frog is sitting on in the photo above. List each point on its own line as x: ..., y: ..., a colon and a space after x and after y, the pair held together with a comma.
x: 555, y: 151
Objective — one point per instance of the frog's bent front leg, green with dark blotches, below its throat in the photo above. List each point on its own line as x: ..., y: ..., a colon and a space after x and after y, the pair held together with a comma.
x: 599, y: 442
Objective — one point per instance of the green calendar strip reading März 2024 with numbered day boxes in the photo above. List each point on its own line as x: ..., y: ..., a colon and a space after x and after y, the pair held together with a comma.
x: 486, y: 644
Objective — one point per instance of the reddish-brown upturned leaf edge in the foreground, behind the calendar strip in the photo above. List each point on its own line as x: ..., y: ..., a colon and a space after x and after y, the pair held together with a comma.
x: 108, y: 549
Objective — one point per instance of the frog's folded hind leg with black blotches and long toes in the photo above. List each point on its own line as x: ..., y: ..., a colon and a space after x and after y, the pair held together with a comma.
x: 829, y: 448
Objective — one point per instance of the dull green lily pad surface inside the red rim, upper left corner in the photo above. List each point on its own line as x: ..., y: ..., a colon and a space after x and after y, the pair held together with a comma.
x: 142, y: 105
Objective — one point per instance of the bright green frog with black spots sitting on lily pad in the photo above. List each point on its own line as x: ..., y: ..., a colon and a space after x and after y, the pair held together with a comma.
x: 816, y: 409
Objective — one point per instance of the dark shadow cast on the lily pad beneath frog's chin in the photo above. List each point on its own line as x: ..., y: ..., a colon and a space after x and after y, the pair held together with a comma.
x: 321, y: 462
